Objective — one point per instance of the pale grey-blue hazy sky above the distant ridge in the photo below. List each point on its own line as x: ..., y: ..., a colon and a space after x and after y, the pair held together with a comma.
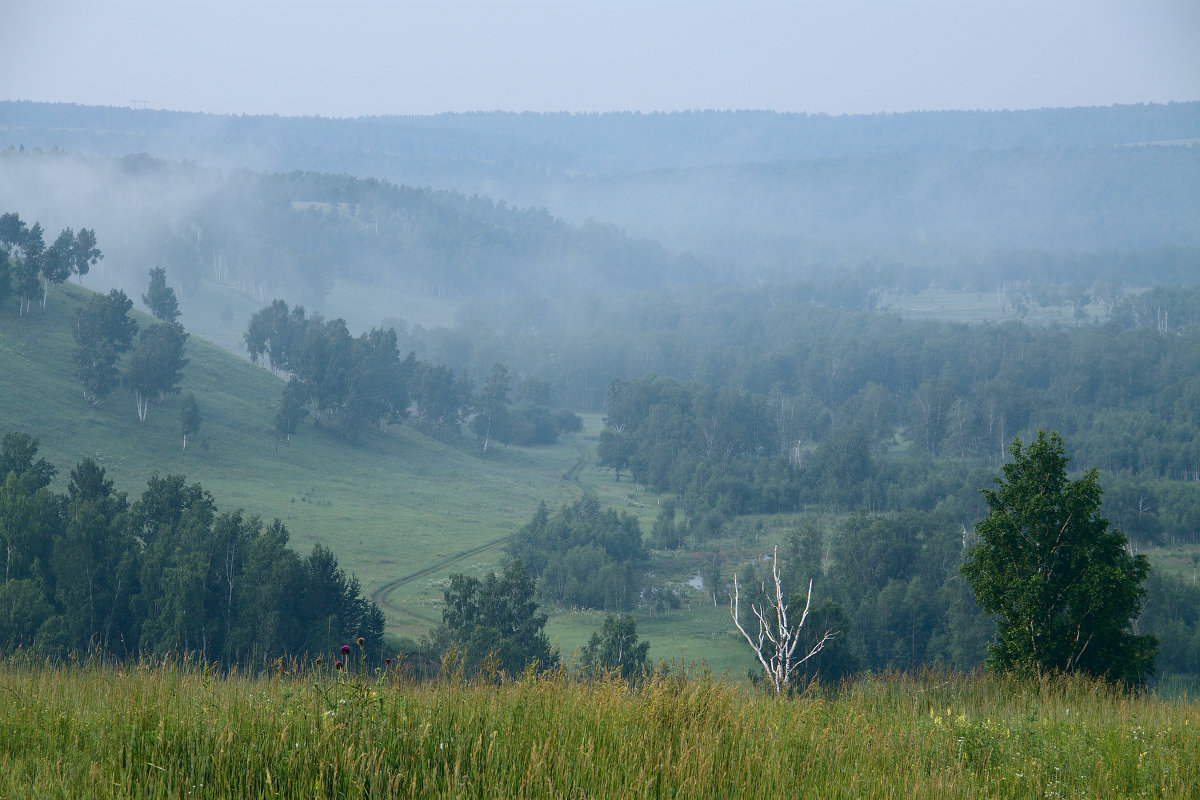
x: 351, y: 58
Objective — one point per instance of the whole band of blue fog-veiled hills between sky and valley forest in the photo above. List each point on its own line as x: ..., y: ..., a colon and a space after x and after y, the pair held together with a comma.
x: 955, y: 200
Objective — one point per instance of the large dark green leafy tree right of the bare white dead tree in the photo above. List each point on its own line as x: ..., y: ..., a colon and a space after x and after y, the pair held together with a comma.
x: 1061, y: 584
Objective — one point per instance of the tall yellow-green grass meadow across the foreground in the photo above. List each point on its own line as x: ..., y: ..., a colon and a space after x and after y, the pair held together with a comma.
x: 171, y: 732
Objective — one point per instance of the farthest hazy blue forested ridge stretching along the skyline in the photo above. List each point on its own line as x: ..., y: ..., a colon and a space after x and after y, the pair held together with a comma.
x: 959, y: 199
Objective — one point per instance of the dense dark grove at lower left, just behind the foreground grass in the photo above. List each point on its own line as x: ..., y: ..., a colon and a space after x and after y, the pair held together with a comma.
x: 92, y: 570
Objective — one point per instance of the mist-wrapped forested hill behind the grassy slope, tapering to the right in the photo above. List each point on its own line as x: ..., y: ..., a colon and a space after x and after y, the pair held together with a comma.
x: 295, y: 234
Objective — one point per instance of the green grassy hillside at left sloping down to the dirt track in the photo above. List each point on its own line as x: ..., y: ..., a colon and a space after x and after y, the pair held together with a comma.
x: 392, y: 507
